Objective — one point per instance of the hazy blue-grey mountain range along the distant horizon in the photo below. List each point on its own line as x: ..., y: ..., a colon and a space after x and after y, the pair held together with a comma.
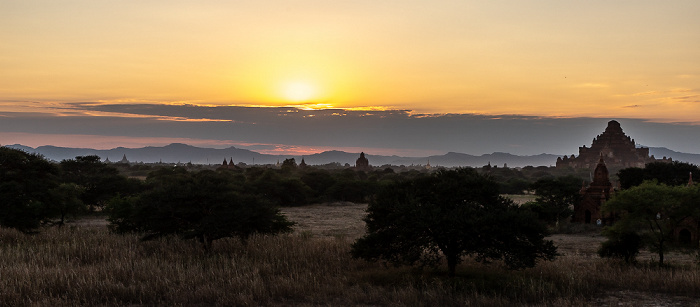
x: 183, y: 153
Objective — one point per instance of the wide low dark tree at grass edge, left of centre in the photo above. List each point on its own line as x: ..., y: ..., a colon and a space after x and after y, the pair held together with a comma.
x: 207, y: 206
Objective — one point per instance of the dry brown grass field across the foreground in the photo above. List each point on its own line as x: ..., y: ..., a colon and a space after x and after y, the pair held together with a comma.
x: 83, y: 264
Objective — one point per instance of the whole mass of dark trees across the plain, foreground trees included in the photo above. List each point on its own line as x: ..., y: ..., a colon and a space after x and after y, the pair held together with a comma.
x: 452, y: 213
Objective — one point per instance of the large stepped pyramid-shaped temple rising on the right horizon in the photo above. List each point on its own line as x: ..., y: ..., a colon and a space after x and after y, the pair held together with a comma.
x: 618, y: 149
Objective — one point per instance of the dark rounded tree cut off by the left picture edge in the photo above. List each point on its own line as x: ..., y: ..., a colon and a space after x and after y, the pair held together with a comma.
x: 26, y: 182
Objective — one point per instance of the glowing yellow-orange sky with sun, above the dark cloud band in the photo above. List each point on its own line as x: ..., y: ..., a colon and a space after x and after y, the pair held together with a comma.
x: 485, y: 57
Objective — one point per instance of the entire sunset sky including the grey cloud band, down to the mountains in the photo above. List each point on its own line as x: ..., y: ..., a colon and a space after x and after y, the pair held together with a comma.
x: 392, y: 77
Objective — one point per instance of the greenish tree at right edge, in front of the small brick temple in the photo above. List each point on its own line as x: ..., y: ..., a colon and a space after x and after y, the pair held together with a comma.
x: 653, y: 211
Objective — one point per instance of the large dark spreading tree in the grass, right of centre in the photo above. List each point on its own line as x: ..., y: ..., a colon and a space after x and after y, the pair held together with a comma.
x: 451, y: 214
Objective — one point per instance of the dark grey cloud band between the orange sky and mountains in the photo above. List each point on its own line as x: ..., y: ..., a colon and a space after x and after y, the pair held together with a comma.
x: 466, y: 133
